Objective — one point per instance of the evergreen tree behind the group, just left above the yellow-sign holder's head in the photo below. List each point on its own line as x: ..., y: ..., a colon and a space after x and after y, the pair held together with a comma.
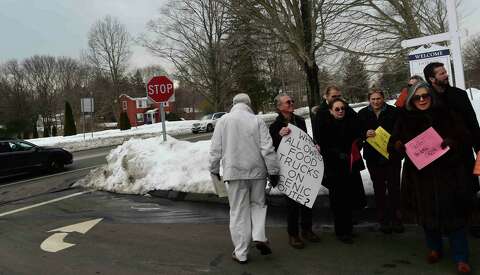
x: 355, y: 79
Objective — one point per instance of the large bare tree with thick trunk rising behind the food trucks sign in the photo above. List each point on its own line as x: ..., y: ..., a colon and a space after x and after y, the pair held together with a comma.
x: 303, y: 26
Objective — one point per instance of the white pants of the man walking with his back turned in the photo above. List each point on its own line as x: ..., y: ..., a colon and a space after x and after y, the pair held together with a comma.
x: 248, y: 213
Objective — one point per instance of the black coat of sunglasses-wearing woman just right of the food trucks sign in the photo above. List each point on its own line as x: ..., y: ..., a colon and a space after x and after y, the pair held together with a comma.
x: 335, y: 139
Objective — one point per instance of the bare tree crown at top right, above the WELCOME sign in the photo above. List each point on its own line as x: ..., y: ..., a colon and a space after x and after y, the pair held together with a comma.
x: 375, y: 28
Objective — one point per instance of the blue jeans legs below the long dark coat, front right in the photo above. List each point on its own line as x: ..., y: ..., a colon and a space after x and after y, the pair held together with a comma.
x: 458, y: 243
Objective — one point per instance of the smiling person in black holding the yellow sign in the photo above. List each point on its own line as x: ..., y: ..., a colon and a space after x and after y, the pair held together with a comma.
x: 384, y: 171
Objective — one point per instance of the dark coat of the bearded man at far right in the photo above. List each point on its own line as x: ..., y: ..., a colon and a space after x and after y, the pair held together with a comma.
x: 457, y: 100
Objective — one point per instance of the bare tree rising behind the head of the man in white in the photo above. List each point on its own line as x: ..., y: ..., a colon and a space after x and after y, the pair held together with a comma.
x: 191, y: 34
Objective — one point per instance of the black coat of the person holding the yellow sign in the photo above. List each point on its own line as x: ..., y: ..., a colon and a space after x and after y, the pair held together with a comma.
x: 368, y: 120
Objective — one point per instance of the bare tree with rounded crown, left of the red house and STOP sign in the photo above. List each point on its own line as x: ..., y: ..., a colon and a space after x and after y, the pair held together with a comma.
x: 109, y: 50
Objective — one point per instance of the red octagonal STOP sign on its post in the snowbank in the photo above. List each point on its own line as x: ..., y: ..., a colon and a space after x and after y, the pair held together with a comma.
x: 159, y: 90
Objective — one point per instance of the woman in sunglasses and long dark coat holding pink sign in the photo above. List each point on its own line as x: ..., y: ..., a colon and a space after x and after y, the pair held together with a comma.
x: 437, y: 196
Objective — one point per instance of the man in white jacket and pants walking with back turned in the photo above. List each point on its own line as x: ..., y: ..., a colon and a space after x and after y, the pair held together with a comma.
x: 242, y: 143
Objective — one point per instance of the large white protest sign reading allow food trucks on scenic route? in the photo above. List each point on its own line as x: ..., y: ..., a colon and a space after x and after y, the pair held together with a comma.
x: 301, y: 167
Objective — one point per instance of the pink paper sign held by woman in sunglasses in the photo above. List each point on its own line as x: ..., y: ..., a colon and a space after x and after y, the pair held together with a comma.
x: 425, y: 148
